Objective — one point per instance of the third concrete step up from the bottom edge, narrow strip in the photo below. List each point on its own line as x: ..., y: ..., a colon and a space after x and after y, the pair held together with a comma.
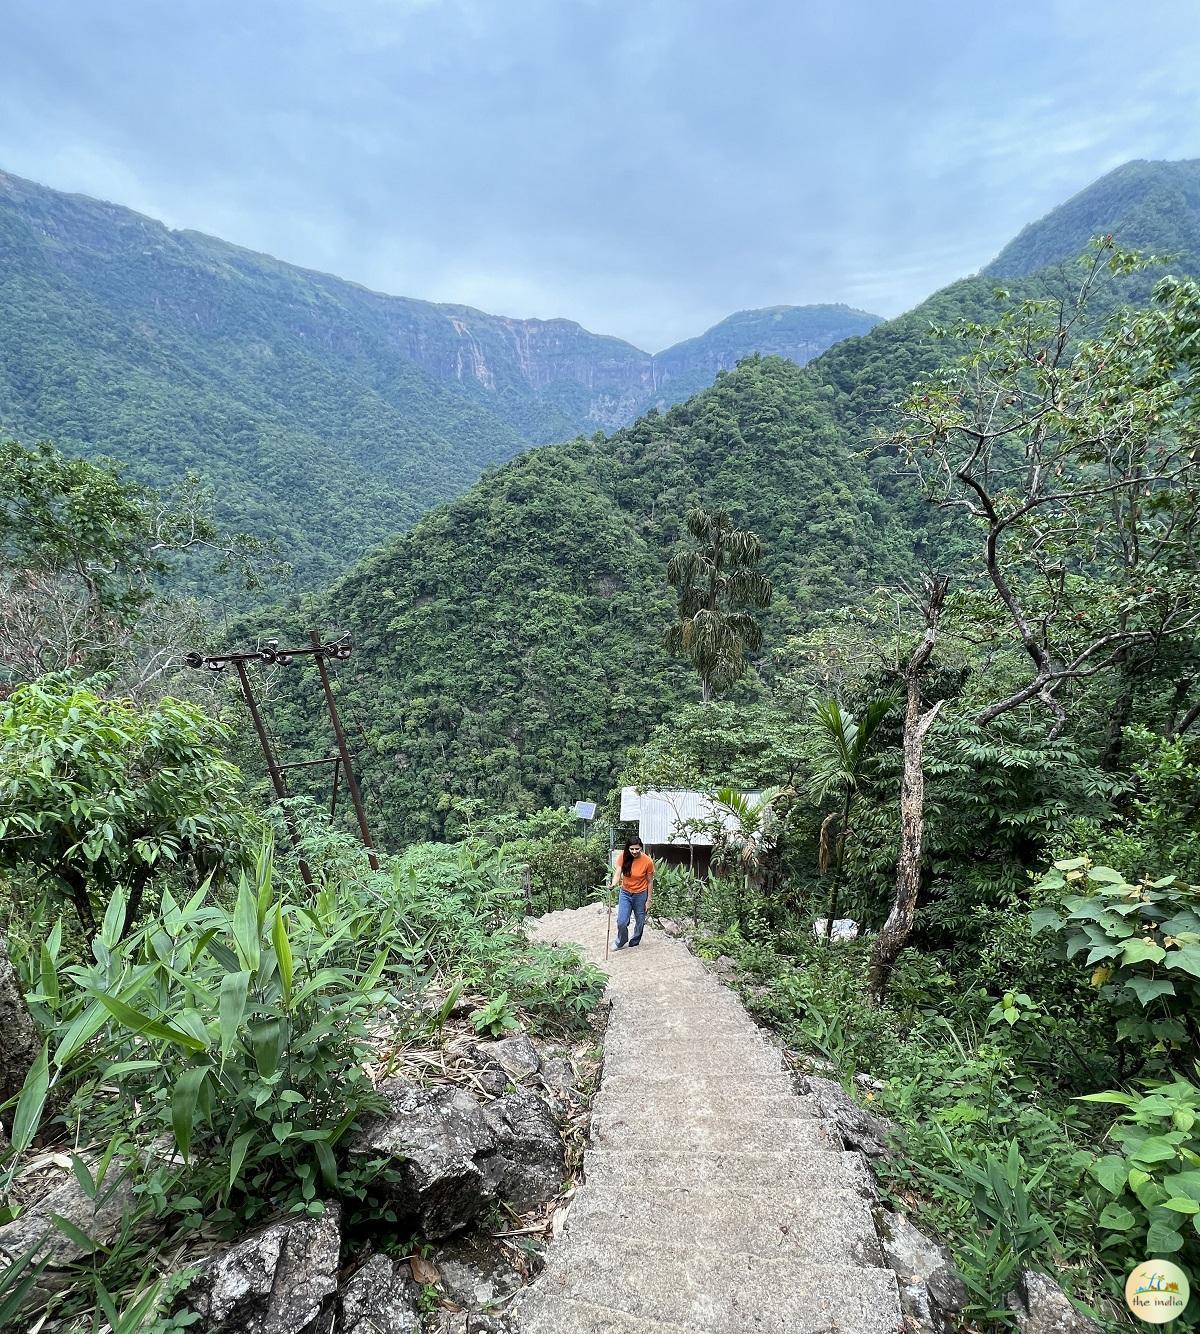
x: 809, y: 1169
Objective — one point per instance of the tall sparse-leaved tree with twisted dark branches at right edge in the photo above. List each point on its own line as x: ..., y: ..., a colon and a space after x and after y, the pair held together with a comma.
x: 1079, y: 462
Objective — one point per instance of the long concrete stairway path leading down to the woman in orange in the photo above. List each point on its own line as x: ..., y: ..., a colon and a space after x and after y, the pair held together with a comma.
x: 715, y: 1203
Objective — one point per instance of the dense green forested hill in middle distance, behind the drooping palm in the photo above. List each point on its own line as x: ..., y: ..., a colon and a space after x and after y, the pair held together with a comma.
x: 511, y: 644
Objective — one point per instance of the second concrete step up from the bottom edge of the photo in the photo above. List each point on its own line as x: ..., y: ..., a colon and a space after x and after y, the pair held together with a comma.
x: 834, y: 1228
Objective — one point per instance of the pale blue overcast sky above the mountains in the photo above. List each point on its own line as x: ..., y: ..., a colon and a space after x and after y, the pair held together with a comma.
x: 645, y: 167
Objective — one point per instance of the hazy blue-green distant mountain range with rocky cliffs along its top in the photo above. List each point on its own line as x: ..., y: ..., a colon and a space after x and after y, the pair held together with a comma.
x: 325, y: 416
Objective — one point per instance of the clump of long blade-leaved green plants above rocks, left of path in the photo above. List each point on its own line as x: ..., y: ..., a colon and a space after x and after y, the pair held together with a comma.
x: 239, y: 1033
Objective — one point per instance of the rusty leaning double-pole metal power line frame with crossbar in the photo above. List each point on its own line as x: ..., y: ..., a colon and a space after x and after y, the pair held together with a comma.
x: 273, y: 656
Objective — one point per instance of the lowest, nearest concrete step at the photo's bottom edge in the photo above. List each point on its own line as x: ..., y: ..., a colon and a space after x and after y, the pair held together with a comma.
x: 722, y: 1292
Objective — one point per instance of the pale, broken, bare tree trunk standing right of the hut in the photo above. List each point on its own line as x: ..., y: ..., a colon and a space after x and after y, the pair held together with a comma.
x: 898, y: 928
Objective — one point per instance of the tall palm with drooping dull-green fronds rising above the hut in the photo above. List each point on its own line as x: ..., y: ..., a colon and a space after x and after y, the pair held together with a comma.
x: 717, y: 584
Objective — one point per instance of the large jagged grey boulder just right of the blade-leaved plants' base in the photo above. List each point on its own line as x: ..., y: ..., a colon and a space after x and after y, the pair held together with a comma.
x: 443, y: 1152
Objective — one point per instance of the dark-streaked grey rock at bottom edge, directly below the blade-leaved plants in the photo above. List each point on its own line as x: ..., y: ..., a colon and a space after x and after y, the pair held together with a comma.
x: 278, y: 1281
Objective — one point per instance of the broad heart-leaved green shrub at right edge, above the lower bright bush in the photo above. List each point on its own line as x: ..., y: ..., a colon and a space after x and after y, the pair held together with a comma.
x: 1143, y: 942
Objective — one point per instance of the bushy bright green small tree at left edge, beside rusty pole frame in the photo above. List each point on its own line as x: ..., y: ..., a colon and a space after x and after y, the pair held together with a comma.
x: 98, y: 794
